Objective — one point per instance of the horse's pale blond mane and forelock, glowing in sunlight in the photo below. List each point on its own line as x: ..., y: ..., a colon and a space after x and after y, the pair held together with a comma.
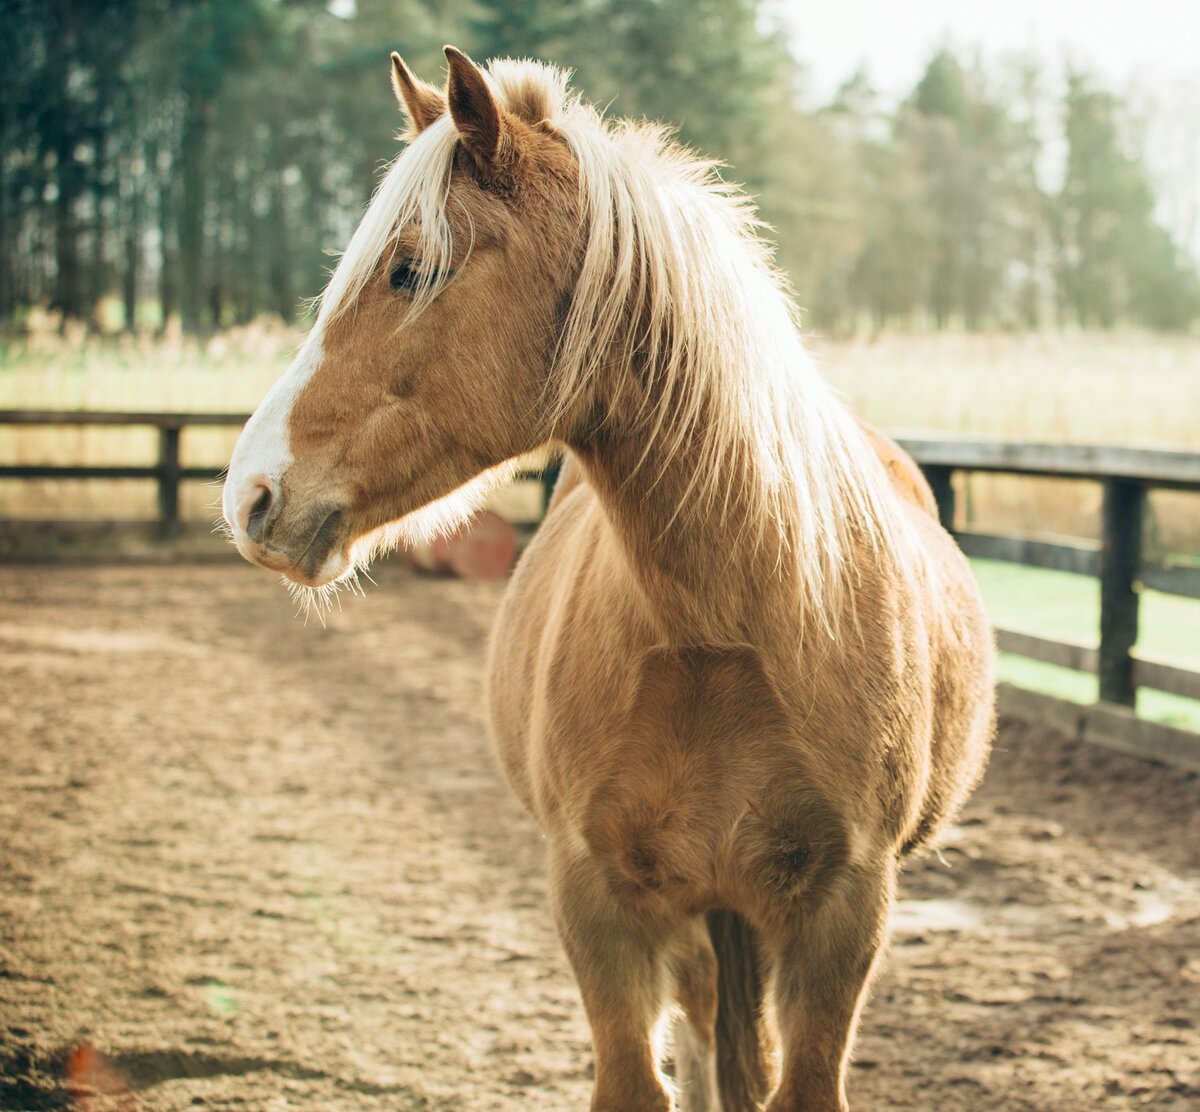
x: 717, y: 332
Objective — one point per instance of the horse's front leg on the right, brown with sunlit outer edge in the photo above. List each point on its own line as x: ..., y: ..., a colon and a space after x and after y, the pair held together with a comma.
x: 824, y: 957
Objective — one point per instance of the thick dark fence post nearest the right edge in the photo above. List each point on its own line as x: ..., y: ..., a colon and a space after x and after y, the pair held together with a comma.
x: 1120, y: 561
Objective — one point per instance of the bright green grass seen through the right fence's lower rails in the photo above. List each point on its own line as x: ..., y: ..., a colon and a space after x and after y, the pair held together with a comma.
x: 1067, y: 608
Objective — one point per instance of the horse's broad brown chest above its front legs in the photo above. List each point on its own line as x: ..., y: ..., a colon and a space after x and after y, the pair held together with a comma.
x: 701, y: 792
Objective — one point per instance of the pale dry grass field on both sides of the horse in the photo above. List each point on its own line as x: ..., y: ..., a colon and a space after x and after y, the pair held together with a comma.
x: 1126, y: 389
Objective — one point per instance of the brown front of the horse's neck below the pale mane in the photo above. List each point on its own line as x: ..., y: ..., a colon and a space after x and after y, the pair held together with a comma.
x: 713, y: 570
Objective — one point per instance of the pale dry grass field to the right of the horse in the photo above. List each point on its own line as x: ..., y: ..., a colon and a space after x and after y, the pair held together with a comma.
x: 1127, y: 389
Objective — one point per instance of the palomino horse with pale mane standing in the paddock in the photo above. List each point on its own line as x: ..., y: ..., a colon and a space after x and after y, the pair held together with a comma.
x: 742, y: 671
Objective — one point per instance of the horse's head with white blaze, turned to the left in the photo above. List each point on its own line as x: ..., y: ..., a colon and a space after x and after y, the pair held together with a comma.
x: 428, y: 366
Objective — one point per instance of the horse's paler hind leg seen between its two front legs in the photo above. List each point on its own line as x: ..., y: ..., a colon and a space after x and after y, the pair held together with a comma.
x: 695, y: 1033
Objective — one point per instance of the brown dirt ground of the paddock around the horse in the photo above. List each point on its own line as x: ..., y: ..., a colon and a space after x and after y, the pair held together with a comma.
x: 263, y: 865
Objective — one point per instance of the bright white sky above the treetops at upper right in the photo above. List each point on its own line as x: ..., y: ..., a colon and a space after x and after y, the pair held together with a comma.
x: 1149, y: 39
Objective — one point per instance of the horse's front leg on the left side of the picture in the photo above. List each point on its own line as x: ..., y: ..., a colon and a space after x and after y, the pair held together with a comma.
x: 625, y: 981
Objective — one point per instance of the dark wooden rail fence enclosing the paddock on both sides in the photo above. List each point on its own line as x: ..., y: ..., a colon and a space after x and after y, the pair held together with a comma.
x: 1126, y: 476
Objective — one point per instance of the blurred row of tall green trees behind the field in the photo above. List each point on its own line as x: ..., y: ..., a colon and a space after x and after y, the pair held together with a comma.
x: 201, y: 159
